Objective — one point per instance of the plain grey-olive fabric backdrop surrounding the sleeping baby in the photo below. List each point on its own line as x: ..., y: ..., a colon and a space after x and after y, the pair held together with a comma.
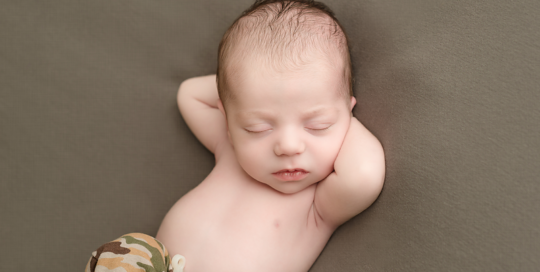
x: 92, y: 145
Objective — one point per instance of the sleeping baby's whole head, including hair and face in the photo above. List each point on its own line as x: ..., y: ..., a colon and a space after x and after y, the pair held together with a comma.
x: 285, y: 85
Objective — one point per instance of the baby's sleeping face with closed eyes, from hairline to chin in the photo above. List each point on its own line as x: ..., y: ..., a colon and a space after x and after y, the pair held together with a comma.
x: 287, y: 129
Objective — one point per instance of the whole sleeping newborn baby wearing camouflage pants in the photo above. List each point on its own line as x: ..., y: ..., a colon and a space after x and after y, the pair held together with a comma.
x: 292, y: 163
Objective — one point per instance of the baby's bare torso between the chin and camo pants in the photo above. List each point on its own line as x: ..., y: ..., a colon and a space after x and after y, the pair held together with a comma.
x: 231, y: 222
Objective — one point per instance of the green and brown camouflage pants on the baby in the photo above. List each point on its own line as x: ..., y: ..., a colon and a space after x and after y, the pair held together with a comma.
x: 134, y: 252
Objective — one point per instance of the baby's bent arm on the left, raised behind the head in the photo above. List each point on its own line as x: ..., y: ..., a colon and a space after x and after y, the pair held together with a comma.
x: 198, y: 99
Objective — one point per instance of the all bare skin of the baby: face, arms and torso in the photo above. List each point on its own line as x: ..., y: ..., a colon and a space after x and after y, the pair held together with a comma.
x: 268, y: 221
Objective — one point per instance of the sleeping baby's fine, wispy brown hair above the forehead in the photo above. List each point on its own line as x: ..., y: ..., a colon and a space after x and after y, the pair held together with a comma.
x: 284, y: 33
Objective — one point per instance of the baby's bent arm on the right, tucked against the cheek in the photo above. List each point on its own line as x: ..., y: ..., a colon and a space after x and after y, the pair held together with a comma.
x: 357, y: 179
